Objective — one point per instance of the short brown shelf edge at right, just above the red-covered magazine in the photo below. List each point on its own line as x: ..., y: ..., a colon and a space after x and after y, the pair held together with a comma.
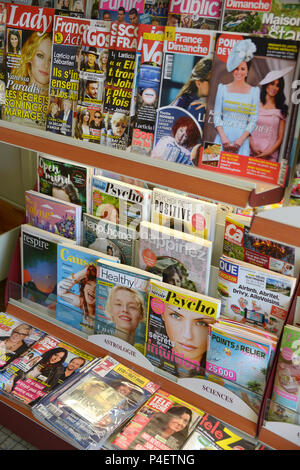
x: 276, y: 231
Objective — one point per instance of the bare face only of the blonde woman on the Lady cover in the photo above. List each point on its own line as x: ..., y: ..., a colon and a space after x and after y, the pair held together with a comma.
x: 40, y: 63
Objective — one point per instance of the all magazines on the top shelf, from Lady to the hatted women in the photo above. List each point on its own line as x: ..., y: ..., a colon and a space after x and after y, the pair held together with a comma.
x: 207, y: 84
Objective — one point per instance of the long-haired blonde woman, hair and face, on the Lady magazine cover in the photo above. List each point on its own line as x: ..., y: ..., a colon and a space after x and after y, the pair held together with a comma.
x: 34, y: 65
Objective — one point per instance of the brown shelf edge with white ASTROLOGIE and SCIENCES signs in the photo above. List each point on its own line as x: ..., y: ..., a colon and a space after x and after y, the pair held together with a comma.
x: 214, y: 399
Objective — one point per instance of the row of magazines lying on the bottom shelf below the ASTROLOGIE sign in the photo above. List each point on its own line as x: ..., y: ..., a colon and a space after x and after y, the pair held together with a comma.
x: 99, y: 403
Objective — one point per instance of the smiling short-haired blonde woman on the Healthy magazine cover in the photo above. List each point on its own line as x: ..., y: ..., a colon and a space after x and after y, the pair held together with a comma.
x: 125, y: 308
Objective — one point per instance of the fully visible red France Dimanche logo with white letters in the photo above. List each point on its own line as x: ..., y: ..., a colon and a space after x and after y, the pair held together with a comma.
x: 189, y: 43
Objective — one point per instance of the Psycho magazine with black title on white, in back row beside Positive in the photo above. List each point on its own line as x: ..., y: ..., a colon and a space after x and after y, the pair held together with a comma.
x: 119, y: 202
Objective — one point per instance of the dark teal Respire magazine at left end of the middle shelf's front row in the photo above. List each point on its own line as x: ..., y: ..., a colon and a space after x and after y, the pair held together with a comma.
x: 39, y: 266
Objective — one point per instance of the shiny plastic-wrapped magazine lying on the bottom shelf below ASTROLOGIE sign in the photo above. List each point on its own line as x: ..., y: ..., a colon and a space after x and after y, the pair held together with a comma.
x: 89, y: 409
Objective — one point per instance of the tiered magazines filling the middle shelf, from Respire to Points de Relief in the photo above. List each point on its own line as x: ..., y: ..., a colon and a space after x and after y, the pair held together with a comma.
x: 147, y: 284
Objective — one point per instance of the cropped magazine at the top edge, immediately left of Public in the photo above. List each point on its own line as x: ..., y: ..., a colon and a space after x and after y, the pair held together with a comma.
x: 140, y: 11
